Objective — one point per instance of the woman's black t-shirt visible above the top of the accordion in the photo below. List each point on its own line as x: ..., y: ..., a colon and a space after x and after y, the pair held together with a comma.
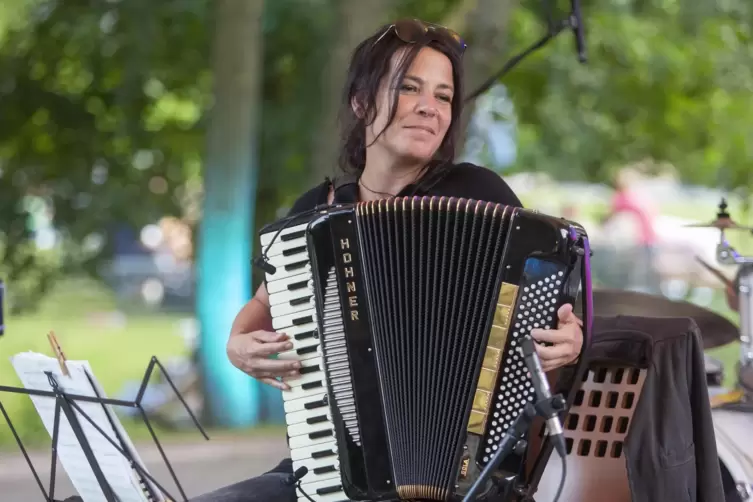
x: 464, y: 180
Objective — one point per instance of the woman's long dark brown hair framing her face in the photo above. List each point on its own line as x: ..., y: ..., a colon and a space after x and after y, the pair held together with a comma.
x: 369, y: 65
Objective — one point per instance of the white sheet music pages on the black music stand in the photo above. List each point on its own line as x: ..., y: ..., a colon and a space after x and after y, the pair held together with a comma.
x: 123, y: 480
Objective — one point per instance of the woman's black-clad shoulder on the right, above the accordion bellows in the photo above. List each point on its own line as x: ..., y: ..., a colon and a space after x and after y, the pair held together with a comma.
x: 473, y: 181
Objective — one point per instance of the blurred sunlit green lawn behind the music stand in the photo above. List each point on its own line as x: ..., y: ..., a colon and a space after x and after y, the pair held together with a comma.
x: 83, y: 316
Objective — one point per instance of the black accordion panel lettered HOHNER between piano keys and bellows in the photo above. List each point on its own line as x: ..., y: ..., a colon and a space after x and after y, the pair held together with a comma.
x: 349, y: 360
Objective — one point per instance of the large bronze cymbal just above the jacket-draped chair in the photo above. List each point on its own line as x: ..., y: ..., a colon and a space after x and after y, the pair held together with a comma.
x: 716, y: 330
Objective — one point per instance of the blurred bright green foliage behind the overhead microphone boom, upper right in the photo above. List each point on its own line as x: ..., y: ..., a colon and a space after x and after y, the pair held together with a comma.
x: 663, y: 81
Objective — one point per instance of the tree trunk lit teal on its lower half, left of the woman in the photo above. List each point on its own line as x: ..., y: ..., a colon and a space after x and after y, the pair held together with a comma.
x: 225, y: 240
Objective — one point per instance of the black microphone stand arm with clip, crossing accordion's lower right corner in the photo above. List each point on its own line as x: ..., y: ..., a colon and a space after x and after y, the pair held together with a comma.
x: 514, y: 436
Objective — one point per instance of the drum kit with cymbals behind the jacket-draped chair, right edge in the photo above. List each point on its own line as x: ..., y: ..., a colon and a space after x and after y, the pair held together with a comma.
x: 732, y: 409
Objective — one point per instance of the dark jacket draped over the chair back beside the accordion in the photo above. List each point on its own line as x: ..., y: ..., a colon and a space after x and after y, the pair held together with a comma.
x: 670, y: 448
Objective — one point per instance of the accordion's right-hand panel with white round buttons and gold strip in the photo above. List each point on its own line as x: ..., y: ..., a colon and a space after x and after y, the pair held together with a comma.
x: 538, y: 262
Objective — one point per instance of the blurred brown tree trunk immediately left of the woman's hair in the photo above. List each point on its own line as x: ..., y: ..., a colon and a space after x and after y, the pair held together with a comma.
x: 354, y: 21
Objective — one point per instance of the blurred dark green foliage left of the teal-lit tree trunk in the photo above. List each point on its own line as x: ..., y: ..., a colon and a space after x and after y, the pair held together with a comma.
x: 96, y: 124
